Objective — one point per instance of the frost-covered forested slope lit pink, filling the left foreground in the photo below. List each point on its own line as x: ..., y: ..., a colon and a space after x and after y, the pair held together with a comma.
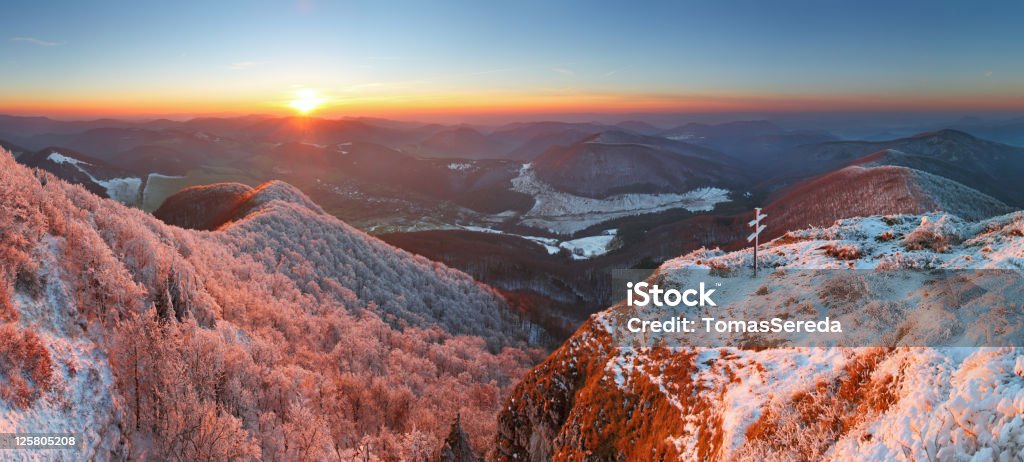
x: 287, y: 335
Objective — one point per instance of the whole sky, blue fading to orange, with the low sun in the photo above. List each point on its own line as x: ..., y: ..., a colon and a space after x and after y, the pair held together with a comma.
x: 417, y: 59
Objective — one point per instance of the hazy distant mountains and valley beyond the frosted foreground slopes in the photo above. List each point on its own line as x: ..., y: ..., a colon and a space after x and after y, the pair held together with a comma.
x: 622, y: 195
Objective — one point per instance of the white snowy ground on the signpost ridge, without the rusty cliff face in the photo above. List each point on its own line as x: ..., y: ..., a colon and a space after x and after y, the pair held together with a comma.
x: 931, y: 403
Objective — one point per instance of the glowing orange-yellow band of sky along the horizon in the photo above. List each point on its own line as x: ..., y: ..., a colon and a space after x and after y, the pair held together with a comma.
x: 448, y: 106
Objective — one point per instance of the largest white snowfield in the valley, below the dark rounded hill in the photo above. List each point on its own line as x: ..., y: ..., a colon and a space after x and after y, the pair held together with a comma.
x: 566, y: 214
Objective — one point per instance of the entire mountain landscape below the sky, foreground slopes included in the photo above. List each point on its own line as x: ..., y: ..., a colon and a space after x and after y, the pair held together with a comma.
x: 302, y: 288
